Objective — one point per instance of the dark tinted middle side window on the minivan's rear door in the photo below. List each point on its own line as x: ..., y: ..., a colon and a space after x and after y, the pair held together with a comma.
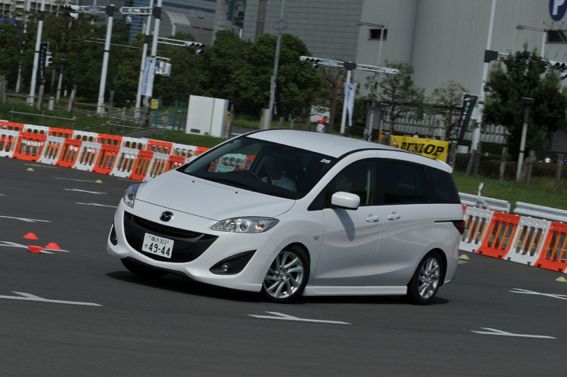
x: 401, y: 182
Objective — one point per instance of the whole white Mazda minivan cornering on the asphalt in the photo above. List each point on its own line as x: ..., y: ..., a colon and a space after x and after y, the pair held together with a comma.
x: 290, y: 213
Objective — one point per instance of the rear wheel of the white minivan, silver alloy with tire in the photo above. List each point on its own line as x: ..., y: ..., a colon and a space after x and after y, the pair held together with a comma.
x: 426, y: 280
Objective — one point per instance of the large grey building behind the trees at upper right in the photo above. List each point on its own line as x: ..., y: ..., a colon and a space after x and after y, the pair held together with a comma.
x: 442, y: 39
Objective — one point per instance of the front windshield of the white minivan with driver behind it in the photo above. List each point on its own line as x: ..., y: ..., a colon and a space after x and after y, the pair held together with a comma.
x: 262, y: 166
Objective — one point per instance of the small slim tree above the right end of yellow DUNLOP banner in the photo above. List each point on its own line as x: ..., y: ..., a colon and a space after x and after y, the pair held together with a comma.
x: 449, y: 98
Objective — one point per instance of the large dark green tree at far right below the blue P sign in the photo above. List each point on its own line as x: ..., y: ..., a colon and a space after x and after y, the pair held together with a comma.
x: 525, y: 74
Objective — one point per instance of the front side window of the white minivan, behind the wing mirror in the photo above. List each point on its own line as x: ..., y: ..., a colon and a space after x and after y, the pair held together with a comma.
x: 357, y: 178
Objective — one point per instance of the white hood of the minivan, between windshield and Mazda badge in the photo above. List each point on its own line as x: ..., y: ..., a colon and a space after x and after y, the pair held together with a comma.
x: 185, y: 193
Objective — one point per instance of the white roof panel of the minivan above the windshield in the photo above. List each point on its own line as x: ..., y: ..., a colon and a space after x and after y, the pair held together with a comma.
x: 327, y: 144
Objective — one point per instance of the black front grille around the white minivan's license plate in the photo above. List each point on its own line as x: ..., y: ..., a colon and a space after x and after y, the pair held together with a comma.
x: 187, y: 245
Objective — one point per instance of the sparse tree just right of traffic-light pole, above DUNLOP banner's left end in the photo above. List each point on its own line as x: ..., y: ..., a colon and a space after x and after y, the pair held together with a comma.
x: 395, y: 92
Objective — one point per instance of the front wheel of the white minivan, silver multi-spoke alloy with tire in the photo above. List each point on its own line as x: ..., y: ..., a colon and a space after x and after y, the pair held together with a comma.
x: 287, y: 276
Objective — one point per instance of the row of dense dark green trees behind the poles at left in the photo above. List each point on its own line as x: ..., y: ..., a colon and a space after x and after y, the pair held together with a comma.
x: 231, y: 68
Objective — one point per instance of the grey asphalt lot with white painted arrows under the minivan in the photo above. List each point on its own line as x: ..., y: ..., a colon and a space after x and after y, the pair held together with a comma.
x: 50, y: 324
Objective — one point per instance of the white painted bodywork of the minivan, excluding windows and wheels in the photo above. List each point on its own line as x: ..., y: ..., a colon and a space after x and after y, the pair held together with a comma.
x: 371, y: 250
